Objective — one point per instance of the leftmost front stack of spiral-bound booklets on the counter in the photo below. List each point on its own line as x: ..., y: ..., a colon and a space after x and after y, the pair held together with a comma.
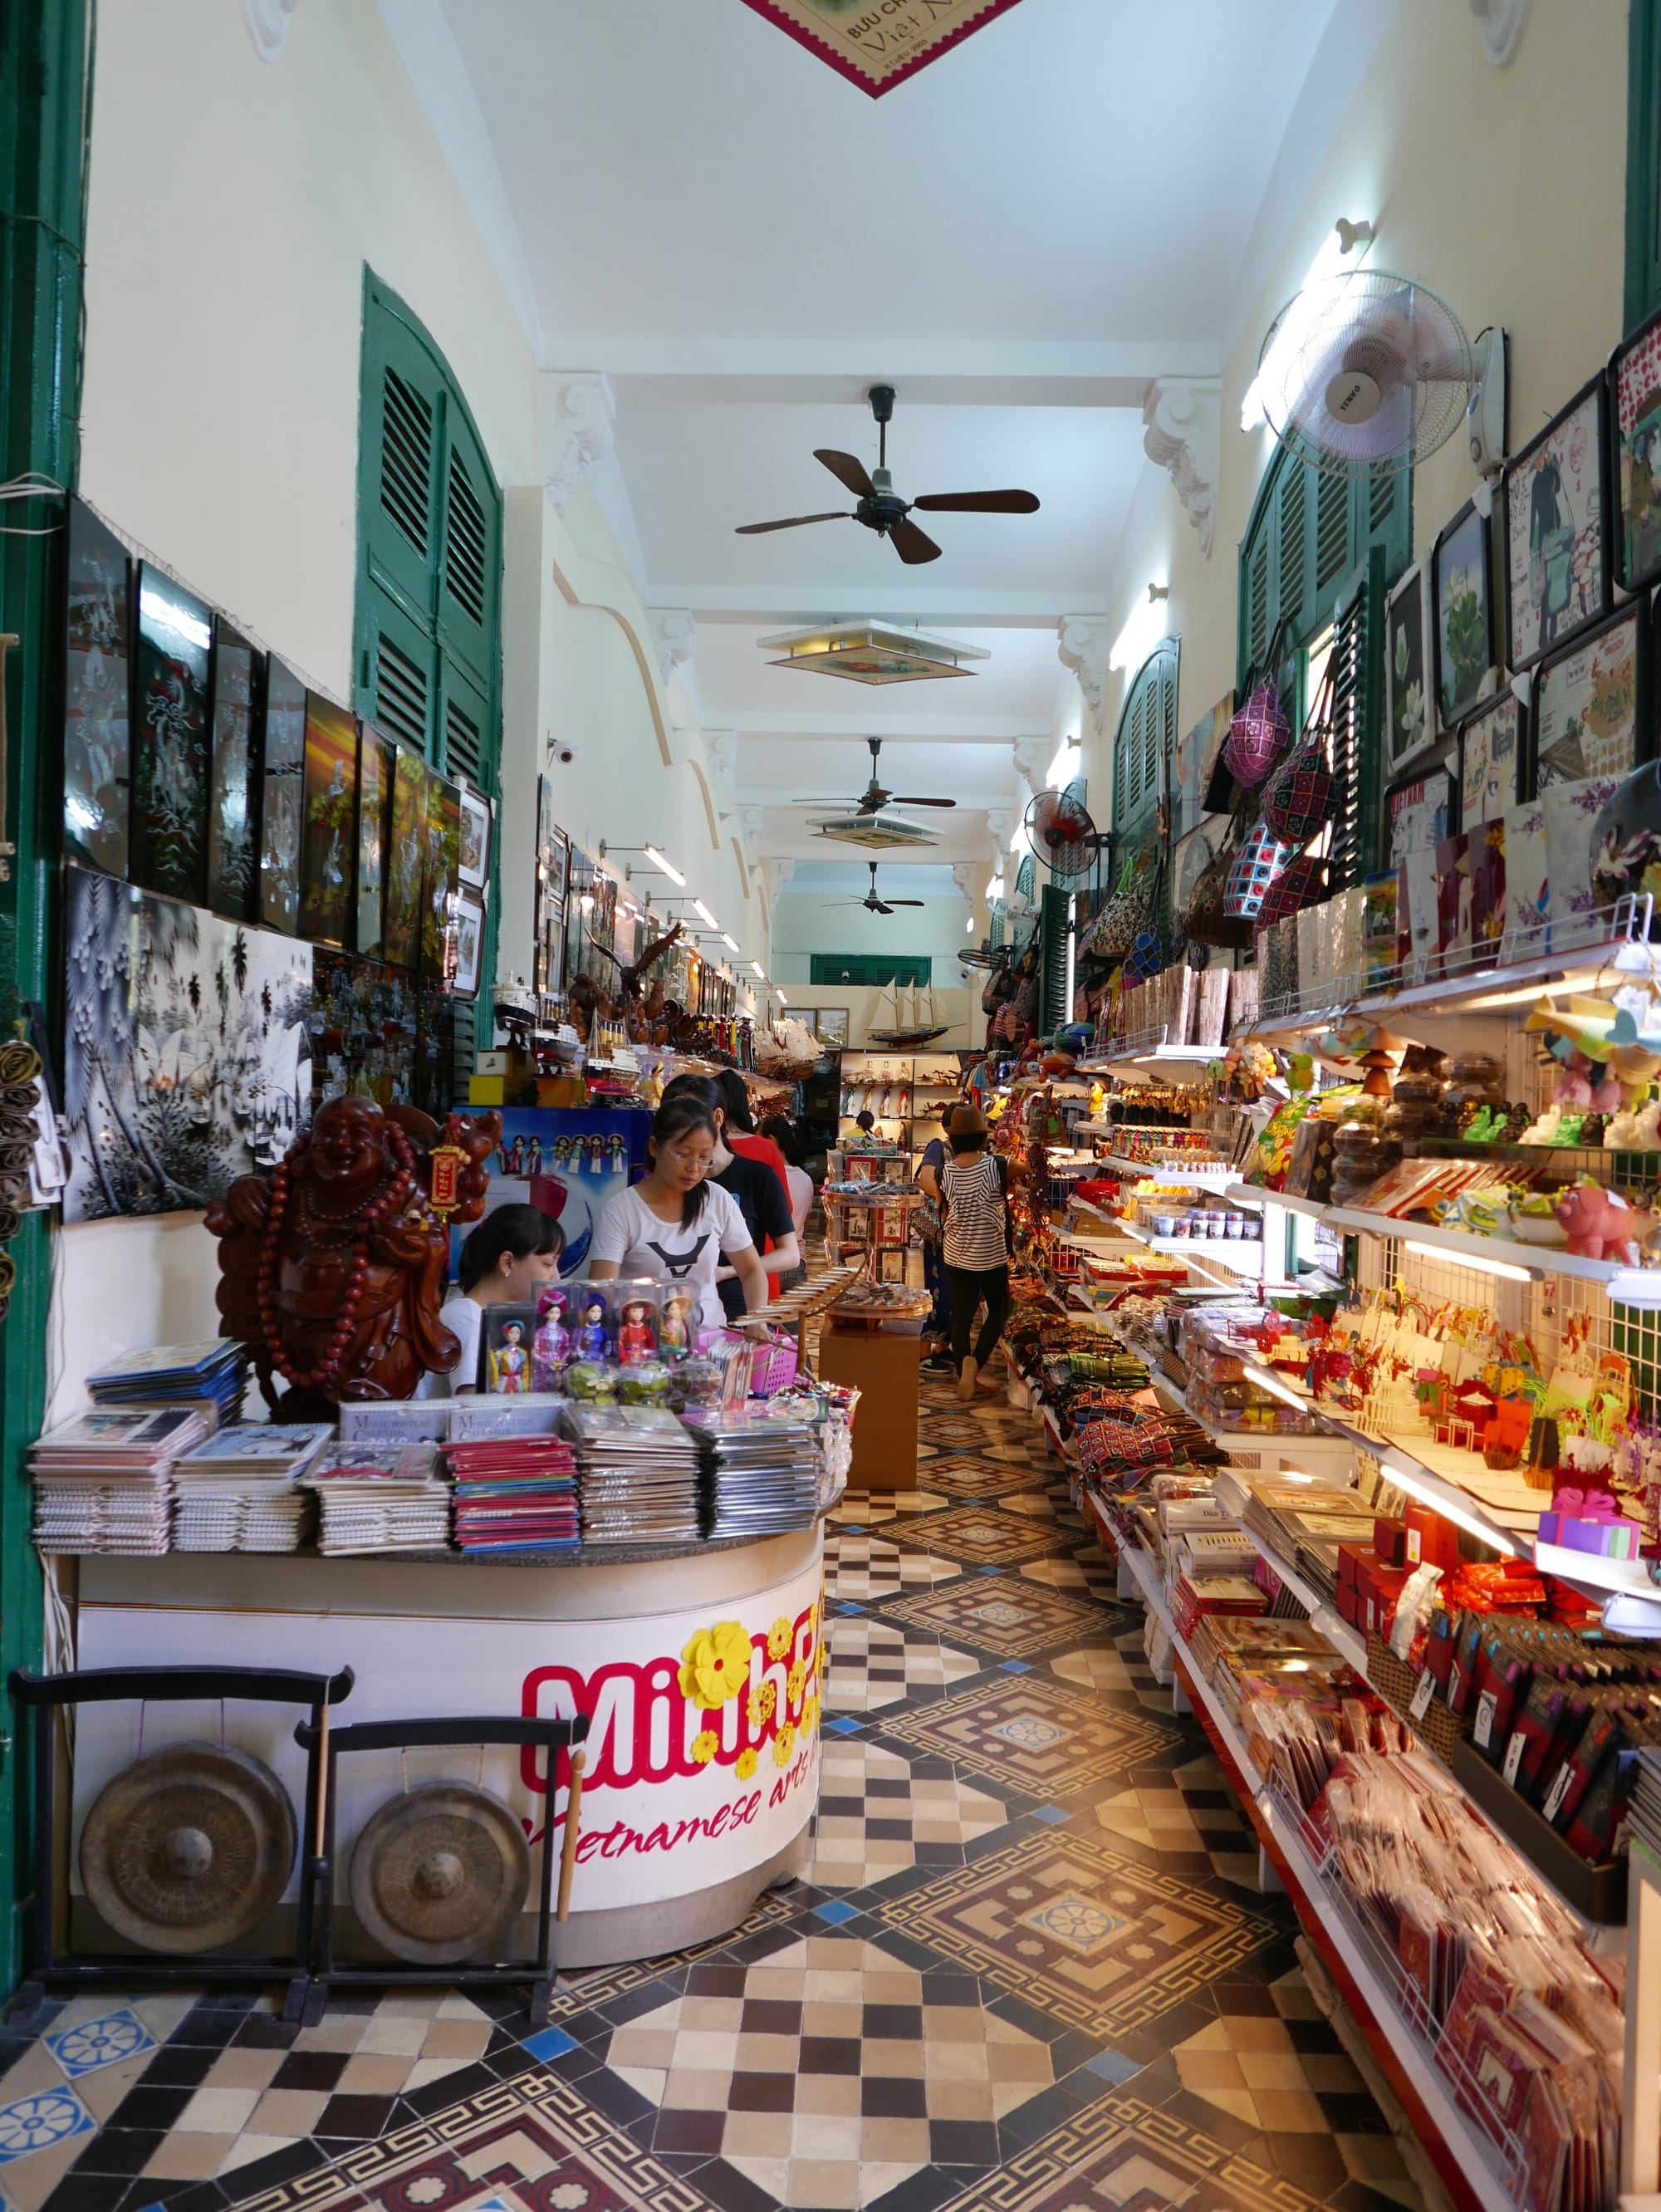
x: 105, y: 1479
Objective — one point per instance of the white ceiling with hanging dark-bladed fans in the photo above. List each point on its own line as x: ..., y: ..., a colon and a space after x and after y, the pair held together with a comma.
x: 1021, y: 238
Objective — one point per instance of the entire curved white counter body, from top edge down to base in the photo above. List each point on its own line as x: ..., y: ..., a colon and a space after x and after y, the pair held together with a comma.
x: 700, y: 1669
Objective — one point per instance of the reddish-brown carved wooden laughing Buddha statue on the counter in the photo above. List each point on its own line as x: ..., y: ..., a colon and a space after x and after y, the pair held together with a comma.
x: 335, y: 1266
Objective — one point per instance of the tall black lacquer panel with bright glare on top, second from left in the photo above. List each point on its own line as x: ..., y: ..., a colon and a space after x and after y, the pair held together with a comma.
x: 169, y: 846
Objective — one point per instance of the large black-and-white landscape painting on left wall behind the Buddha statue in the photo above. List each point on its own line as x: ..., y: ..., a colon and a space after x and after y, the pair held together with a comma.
x: 187, y: 1054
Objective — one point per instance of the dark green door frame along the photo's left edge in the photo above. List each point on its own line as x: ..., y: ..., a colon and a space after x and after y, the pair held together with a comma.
x: 45, y: 118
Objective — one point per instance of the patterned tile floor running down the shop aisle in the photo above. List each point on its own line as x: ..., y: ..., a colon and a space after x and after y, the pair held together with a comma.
x: 1027, y: 1970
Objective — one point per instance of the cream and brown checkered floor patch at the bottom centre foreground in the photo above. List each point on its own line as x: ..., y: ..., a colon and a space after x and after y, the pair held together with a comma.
x: 828, y: 2074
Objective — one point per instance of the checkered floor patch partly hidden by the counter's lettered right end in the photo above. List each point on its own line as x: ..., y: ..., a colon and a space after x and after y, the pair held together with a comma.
x: 879, y: 1817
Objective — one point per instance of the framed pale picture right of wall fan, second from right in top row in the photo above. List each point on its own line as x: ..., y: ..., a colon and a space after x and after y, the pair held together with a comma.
x: 1558, y: 530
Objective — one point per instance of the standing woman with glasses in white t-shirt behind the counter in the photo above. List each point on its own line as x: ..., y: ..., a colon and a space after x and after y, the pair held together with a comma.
x: 676, y: 1224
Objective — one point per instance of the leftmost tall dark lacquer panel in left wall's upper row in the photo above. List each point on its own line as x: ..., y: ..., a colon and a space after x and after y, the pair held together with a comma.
x: 98, y: 729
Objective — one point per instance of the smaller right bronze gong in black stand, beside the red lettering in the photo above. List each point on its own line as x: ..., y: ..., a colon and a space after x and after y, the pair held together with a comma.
x: 439, y: 1872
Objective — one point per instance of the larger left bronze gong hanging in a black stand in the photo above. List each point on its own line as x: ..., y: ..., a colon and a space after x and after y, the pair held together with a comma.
x: 189, y: 1850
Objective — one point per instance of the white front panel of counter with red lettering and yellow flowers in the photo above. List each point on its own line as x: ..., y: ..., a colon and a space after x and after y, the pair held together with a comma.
x: 702, y: 1755
